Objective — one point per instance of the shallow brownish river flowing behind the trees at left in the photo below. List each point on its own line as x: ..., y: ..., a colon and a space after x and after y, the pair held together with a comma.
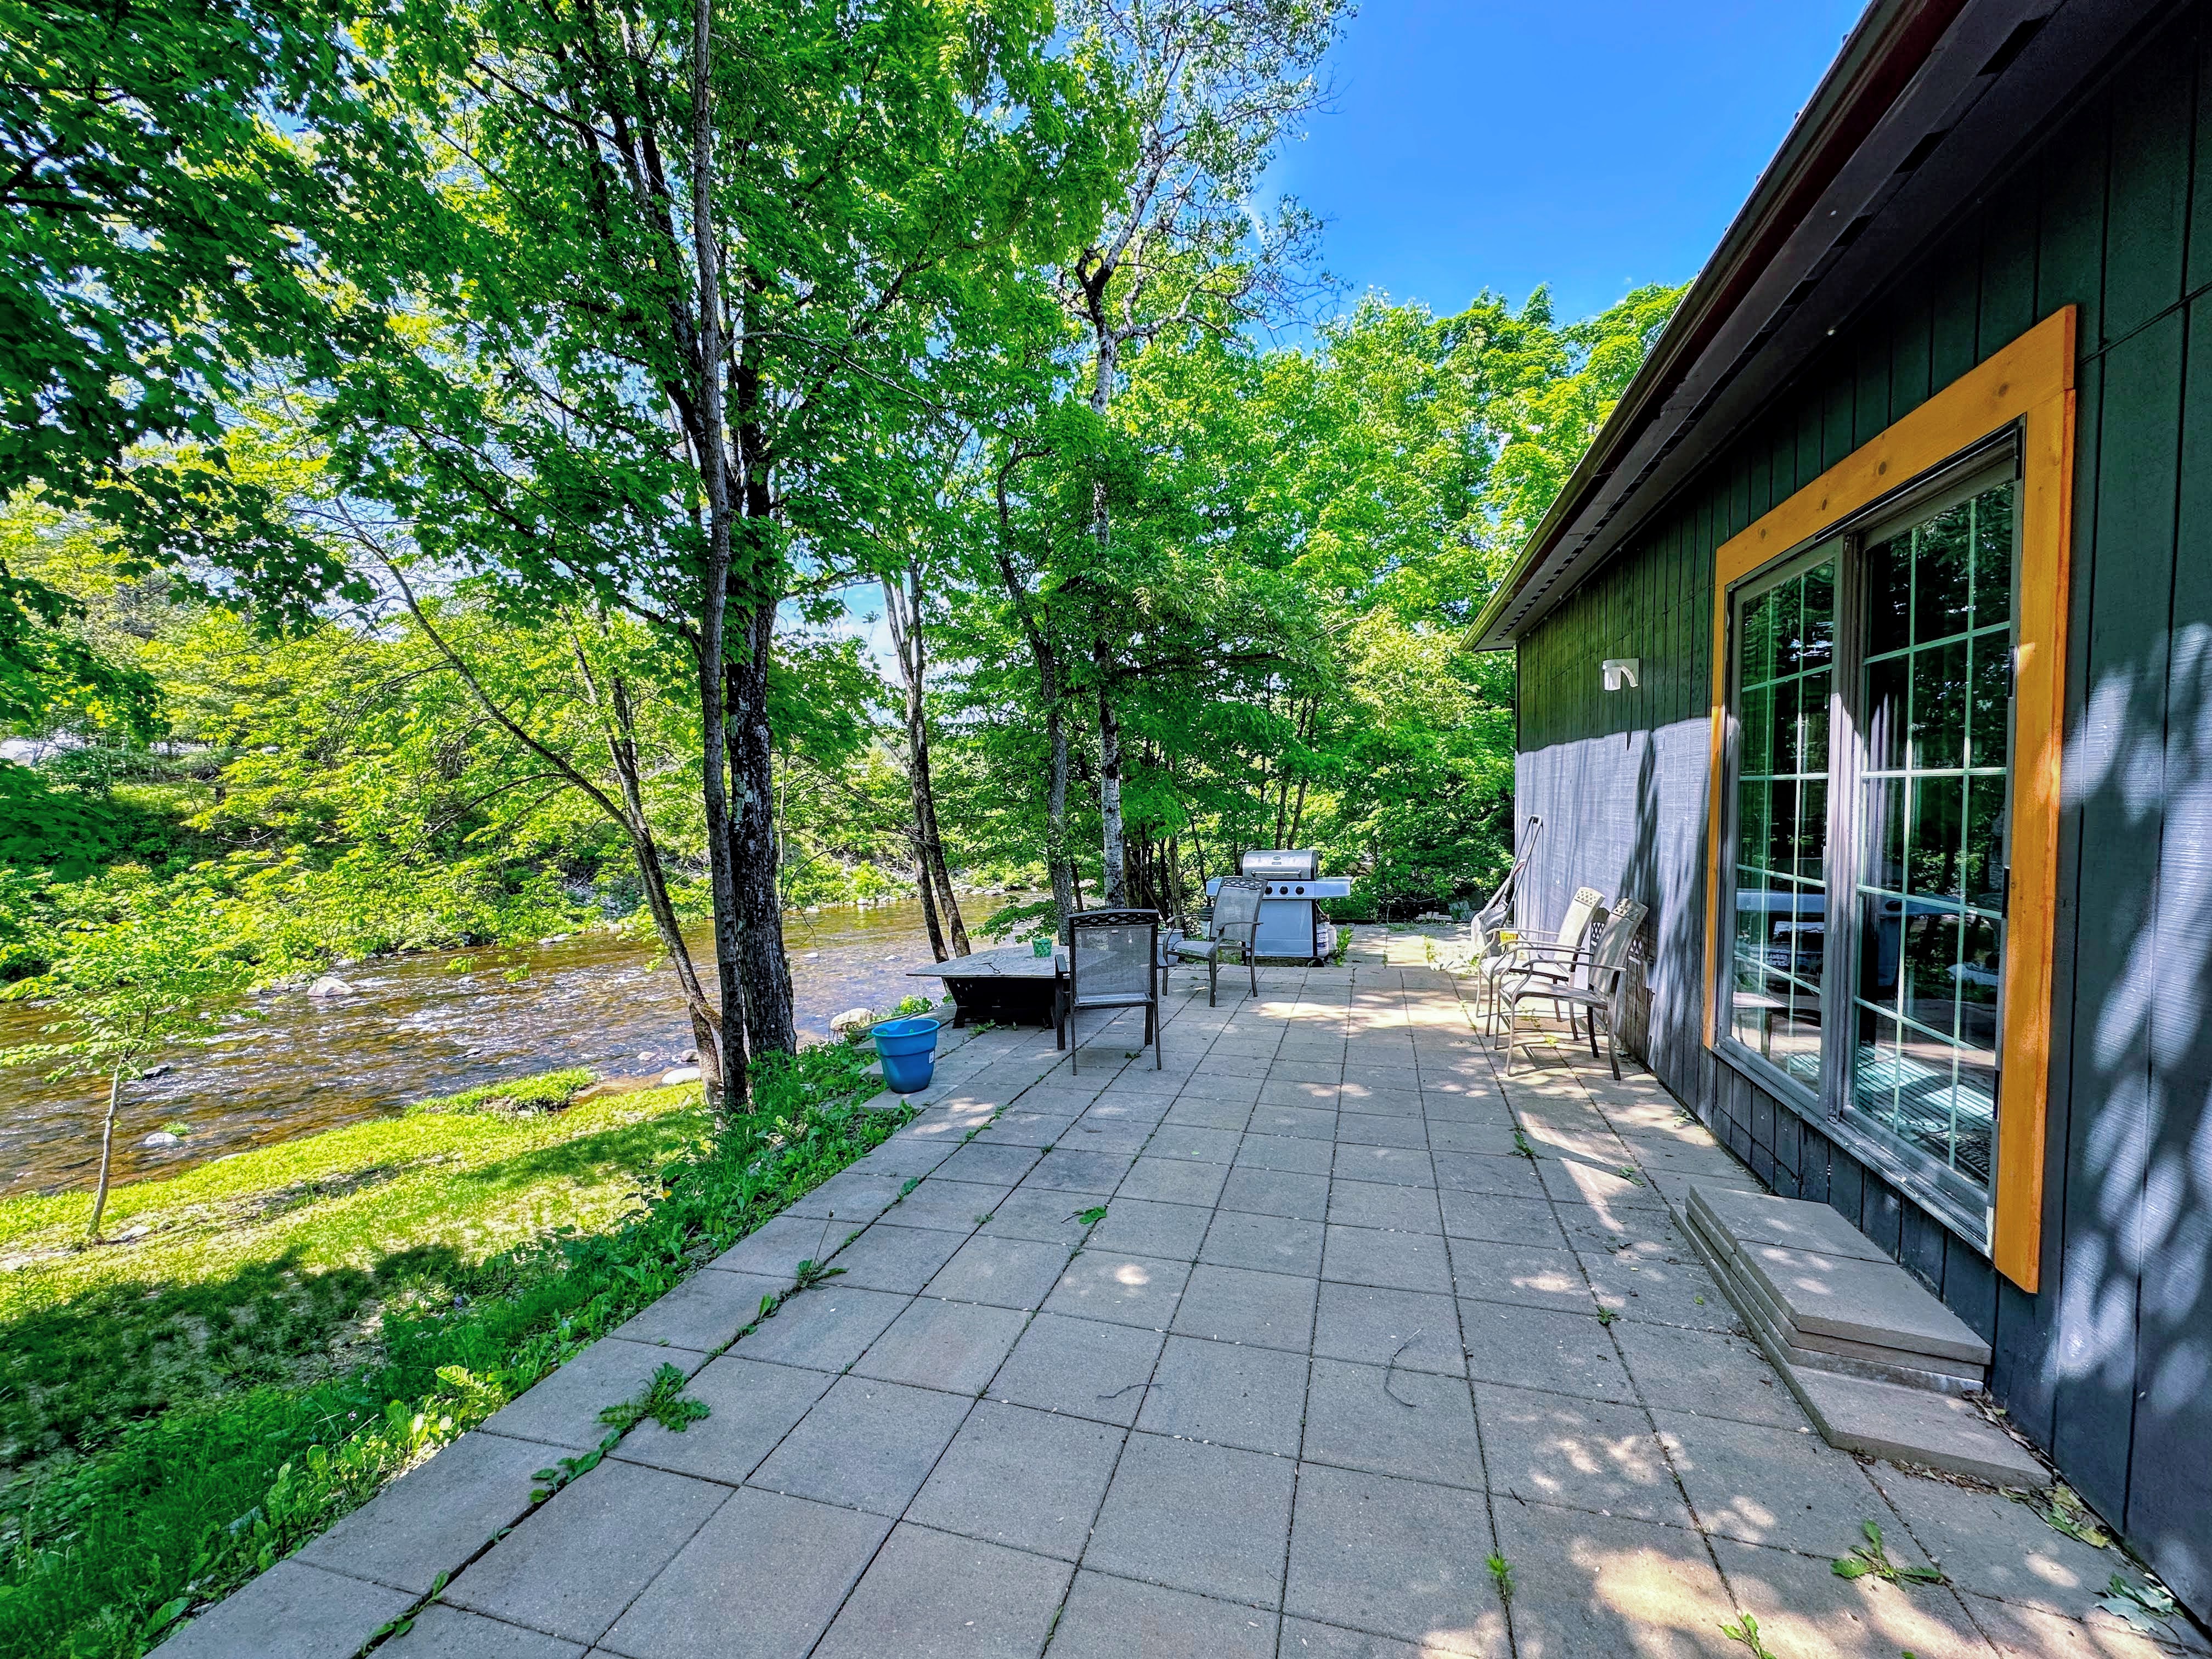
x: 419, y: 1027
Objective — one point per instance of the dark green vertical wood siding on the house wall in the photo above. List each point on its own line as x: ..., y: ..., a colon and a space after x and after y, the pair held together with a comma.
x: 2111, y: 1364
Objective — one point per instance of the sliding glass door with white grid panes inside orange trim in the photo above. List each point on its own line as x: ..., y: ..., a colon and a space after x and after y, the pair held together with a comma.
x: 1870, y: 786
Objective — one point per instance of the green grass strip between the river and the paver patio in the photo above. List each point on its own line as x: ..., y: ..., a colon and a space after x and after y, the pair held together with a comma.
x: 300, y: 1324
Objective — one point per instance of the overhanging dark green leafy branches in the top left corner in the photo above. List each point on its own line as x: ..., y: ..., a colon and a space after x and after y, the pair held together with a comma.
x: 187, y: 194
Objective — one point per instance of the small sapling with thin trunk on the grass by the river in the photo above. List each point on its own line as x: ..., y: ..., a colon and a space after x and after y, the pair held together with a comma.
x: 123, y: 983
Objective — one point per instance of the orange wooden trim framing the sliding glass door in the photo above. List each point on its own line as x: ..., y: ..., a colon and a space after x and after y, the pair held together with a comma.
x: 2030, y: 384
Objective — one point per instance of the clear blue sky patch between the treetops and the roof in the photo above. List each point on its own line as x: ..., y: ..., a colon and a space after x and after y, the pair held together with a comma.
x: 1589, y: 145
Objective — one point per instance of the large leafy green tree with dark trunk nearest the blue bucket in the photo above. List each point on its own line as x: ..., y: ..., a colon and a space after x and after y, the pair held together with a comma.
x: 718, y: 258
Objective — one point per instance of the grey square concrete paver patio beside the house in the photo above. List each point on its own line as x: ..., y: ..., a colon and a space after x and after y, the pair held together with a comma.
x: 1333, y: 1346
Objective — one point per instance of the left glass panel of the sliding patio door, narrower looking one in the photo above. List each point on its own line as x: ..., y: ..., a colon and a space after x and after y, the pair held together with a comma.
x: 1786, y: 645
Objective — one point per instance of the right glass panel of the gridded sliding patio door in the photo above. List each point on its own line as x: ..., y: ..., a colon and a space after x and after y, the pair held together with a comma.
x: 1937, y: 689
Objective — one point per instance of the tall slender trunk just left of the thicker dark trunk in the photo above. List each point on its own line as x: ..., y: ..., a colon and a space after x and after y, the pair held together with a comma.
x: 716, y: 578
